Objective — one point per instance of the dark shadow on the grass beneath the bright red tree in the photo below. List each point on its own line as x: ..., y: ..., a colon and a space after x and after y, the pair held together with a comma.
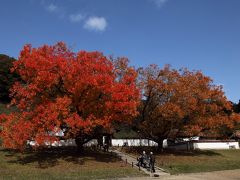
x: 50, y: 157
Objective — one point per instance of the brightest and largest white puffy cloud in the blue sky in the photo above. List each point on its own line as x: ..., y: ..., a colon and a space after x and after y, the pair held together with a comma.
x: 96, y: 23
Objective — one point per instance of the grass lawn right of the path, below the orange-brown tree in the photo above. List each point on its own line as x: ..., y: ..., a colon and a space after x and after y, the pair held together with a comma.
x: 195, y: 161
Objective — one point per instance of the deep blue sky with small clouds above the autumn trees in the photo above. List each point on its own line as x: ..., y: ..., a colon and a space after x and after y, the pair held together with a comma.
x: 197, y: 34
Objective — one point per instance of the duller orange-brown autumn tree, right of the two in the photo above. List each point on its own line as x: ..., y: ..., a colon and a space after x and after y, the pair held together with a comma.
x: 182, y: 103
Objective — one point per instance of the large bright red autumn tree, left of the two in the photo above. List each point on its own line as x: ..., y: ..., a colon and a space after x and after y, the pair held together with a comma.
x: 82, y: 92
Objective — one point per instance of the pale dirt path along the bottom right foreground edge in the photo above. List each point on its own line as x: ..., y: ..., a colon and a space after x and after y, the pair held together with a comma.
x: 216, y: 175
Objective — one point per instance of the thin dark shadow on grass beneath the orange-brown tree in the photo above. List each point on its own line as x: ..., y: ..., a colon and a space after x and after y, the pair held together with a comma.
x: 138, y: 150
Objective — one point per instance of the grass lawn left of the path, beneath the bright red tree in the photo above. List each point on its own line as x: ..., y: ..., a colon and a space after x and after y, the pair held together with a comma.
x: 62, y: 164
